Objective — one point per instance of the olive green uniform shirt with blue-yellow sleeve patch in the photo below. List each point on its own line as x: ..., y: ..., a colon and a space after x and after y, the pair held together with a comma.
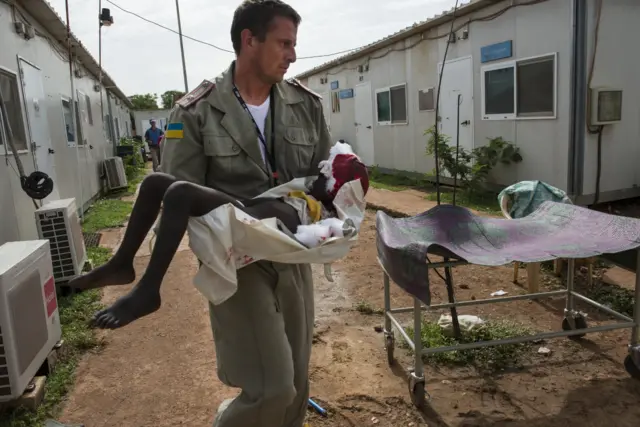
x: 218, y: 145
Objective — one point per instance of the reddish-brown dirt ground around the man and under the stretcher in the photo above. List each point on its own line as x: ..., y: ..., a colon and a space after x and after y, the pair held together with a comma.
x: 161, y: 372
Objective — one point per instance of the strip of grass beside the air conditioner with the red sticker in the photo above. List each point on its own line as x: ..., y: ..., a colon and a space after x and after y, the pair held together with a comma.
x: 75, y: 312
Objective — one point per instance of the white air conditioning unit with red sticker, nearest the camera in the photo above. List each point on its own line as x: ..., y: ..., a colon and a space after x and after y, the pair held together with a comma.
x: 29, y: 318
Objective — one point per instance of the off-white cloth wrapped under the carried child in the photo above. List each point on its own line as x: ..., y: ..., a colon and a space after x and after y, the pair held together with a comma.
x: 227, y: 239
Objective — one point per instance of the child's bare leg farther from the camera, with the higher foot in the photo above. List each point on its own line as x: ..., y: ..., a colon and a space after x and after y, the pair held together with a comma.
x: 119, y: 270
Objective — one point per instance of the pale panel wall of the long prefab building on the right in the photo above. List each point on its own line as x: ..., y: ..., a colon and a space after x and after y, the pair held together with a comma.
x: 536, y: 30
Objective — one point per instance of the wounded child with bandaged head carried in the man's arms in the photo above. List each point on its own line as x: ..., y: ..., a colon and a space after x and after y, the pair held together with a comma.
x: 302, y: 213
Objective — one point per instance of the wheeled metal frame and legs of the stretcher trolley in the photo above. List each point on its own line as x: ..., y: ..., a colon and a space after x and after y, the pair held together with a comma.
x: 573, y: 325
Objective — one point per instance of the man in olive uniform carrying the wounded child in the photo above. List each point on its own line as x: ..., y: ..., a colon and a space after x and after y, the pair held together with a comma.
x: 243, y: 133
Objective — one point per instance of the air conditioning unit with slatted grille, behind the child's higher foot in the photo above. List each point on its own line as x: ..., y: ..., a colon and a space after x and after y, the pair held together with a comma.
x: 58, y: 223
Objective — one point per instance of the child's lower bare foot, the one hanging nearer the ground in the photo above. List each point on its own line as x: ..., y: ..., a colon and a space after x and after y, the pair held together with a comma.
x: 140, y: 302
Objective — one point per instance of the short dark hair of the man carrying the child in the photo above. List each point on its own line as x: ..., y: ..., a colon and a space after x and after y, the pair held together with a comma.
x: 256, y: 16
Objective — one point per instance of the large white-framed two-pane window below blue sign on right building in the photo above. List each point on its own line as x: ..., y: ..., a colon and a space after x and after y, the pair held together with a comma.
x: 514, y: 65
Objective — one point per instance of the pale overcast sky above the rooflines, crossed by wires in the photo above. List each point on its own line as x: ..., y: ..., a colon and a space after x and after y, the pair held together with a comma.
x: 143, y: 58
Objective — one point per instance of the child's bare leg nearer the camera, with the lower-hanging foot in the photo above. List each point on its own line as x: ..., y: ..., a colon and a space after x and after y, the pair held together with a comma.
x: 182, y: 200
